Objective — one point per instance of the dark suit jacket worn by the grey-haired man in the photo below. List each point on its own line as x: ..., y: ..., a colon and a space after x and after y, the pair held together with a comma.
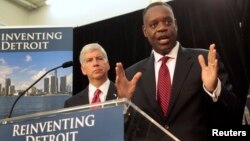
x: 82, y: 97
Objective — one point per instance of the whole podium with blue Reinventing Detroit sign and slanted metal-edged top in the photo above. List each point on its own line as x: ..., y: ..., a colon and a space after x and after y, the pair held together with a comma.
x: 114, y: 120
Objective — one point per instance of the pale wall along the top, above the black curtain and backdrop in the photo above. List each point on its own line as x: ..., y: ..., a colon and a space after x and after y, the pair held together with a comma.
x: 69, y: 12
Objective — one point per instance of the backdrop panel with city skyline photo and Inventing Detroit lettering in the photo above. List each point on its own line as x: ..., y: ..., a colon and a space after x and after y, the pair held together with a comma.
x: 28, y: 53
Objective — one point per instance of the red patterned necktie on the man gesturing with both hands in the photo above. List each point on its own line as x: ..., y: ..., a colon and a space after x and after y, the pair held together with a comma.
x: 164, y: 86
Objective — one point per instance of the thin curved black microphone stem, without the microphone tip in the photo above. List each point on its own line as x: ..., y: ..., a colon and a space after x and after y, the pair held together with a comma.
x: 10, y: 114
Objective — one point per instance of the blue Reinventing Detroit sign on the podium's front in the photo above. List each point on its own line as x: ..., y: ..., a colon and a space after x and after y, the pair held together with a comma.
x: 104, y: 124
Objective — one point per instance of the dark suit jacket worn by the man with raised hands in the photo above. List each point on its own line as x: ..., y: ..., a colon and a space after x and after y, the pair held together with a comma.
x: 191, y: 110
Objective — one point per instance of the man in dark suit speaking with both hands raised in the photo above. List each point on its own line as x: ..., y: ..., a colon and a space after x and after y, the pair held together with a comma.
x: 201, y: 95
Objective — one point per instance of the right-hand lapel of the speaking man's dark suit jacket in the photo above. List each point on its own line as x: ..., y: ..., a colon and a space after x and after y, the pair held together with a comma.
x: 183, y: 64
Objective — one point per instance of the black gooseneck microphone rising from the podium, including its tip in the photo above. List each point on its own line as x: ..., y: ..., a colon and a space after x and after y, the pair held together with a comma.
x: 64, y: 65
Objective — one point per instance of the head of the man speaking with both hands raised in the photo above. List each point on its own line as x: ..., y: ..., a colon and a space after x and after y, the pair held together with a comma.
x: 160, y: 28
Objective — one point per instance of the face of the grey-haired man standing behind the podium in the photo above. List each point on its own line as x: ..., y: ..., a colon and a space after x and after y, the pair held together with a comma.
x: 95, y: 66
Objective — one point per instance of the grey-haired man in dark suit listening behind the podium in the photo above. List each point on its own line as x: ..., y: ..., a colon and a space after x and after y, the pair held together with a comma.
x: 95, y: 65
